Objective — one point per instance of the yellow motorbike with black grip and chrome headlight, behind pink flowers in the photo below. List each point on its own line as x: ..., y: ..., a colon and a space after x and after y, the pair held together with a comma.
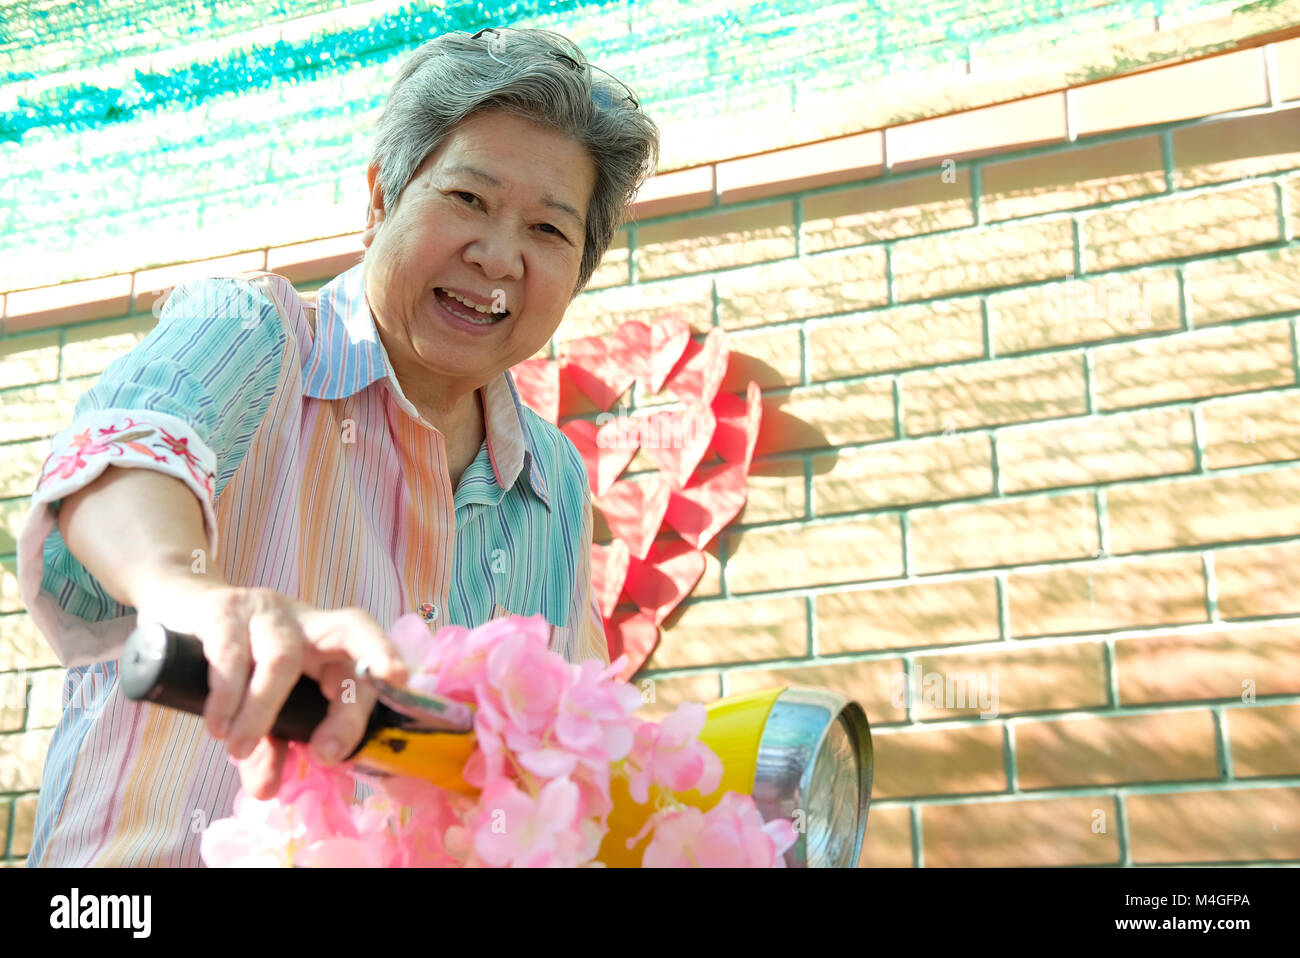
x: 803, y: 755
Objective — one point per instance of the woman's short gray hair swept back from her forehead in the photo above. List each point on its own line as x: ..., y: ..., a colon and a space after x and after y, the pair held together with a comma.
x: 453, y: 77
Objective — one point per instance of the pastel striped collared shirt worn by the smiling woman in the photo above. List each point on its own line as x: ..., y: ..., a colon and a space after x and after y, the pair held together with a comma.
x: 318, y: 479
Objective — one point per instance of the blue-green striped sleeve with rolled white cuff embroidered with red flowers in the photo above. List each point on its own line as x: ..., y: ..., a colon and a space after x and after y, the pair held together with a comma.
x: 185, y: 402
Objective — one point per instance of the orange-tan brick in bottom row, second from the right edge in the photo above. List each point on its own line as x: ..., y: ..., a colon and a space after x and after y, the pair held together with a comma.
x: 1025, y: 835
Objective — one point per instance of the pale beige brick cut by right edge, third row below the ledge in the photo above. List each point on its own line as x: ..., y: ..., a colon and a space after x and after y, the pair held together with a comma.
x: 1236, y: 288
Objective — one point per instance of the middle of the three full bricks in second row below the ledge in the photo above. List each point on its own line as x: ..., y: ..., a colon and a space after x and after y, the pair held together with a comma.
x: 982, y: 259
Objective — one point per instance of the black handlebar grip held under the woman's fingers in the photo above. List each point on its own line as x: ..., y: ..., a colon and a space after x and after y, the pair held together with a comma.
x: 170, y: 669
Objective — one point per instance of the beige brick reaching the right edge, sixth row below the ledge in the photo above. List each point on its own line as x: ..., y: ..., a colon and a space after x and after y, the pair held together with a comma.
x: 1199, y: 511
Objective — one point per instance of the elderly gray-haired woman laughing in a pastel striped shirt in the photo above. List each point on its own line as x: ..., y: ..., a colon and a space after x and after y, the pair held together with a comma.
x: 293, y: 476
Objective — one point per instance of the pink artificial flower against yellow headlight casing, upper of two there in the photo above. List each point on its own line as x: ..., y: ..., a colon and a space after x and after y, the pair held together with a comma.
x: 668, y: 755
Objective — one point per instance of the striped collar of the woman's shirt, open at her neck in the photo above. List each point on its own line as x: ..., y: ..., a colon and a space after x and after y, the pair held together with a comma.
x: 348, y: 356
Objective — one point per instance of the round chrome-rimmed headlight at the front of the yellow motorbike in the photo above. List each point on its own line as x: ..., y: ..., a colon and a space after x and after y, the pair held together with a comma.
x: 814, y: 768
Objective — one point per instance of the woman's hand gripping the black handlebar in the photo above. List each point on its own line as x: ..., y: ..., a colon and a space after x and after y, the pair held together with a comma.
x: 258, y: 644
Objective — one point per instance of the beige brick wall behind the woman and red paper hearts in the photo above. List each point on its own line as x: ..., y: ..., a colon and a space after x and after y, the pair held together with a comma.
x: 1030, y: 452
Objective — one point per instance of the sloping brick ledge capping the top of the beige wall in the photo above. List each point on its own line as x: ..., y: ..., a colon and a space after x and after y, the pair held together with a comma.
x: 928, y: 142
